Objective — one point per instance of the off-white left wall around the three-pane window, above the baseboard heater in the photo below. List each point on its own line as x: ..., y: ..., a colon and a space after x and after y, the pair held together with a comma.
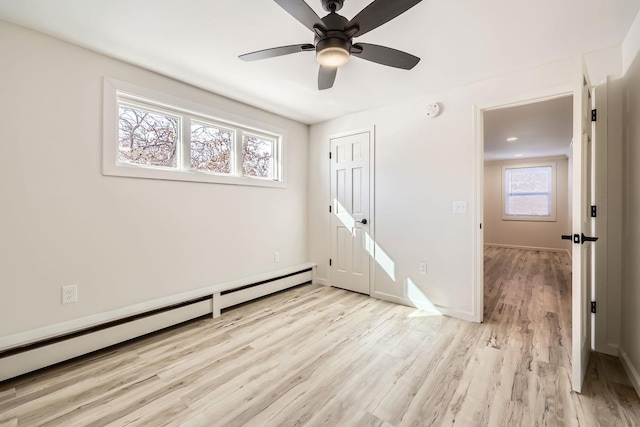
x: 123, y: 241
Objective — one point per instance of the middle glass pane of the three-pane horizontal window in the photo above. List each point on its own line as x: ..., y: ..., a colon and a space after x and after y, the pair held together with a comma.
x: 211, y: 148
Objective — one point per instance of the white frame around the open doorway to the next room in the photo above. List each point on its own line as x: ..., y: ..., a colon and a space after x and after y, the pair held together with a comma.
x: 478, y: 126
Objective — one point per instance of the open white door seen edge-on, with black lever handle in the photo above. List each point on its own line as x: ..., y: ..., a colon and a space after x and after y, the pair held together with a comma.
x: 582, y: 266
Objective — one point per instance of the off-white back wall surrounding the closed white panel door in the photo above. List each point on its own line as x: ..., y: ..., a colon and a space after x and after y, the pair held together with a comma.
x: 422, y: 166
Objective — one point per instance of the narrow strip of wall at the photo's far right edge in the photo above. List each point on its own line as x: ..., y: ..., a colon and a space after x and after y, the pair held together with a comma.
x: 630, y: 339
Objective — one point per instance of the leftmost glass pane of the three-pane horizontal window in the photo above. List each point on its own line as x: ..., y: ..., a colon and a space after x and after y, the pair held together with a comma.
x: 147, y: 138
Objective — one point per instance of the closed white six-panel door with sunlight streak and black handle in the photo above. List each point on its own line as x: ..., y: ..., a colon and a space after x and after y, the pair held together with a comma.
x: 350, y: 209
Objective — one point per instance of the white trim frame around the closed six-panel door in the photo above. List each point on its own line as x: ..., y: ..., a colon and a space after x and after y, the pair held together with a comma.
x: 372, y: 222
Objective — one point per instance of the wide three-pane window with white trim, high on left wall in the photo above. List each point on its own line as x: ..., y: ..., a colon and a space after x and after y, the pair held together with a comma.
x: 157, y: 139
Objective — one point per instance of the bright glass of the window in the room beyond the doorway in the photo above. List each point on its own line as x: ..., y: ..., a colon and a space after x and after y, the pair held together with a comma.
x: 528, y: 191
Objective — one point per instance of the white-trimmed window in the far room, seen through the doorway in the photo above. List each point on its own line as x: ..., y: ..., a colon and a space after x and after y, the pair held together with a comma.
x: 529, y: 193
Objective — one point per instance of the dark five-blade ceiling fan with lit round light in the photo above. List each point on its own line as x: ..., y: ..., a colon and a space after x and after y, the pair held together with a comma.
x: 333, y: 42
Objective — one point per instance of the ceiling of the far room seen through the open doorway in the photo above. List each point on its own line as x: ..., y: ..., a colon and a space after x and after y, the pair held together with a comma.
x: 543, y: 129
